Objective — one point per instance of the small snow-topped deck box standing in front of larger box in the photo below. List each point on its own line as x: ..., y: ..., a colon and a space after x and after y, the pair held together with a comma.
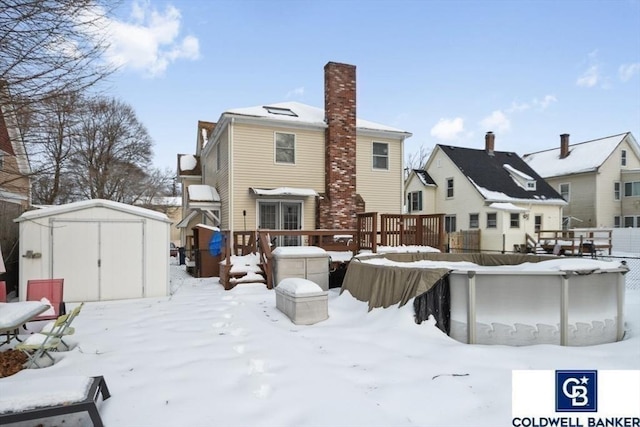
x: 303, y: 301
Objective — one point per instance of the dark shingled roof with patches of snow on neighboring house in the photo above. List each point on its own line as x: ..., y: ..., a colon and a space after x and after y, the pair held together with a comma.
x: 492, y: 175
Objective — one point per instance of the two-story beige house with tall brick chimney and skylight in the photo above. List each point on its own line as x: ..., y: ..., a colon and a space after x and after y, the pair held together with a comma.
x: 292, y: 166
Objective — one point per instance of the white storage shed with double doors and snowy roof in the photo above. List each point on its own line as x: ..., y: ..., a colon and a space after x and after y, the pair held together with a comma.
x: 103, y: 250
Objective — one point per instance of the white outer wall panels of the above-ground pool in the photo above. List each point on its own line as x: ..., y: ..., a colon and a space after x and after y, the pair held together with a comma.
x: 563, y: 308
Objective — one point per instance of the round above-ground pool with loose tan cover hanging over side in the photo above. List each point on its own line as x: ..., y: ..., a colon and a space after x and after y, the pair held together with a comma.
x: 499, y: 299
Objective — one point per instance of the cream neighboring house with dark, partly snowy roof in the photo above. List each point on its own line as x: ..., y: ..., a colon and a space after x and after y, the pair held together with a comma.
x: 492, y: 191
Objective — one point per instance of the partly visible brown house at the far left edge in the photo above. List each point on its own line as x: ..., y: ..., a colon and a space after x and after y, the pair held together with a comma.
x: 15, y: 185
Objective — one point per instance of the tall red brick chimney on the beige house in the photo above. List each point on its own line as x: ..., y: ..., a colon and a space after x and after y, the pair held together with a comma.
x: 338, y: 206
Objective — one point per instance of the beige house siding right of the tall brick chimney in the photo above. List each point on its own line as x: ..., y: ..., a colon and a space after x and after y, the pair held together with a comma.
x: 380, y: 189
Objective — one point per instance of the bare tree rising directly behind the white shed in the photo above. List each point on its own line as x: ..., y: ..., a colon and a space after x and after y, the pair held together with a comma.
x: 112, y: 152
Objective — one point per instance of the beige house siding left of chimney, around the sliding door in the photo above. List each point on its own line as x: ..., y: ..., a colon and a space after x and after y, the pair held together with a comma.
x: 254, y: 166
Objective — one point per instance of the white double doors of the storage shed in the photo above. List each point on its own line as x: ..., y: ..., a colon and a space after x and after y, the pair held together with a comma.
x: 99, y: 260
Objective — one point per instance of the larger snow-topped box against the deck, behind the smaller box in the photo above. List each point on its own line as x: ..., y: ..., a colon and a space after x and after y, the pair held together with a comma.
x: 306, y: 262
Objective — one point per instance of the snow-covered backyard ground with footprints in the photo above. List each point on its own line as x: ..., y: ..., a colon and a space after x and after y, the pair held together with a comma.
x: 204, y: 356
